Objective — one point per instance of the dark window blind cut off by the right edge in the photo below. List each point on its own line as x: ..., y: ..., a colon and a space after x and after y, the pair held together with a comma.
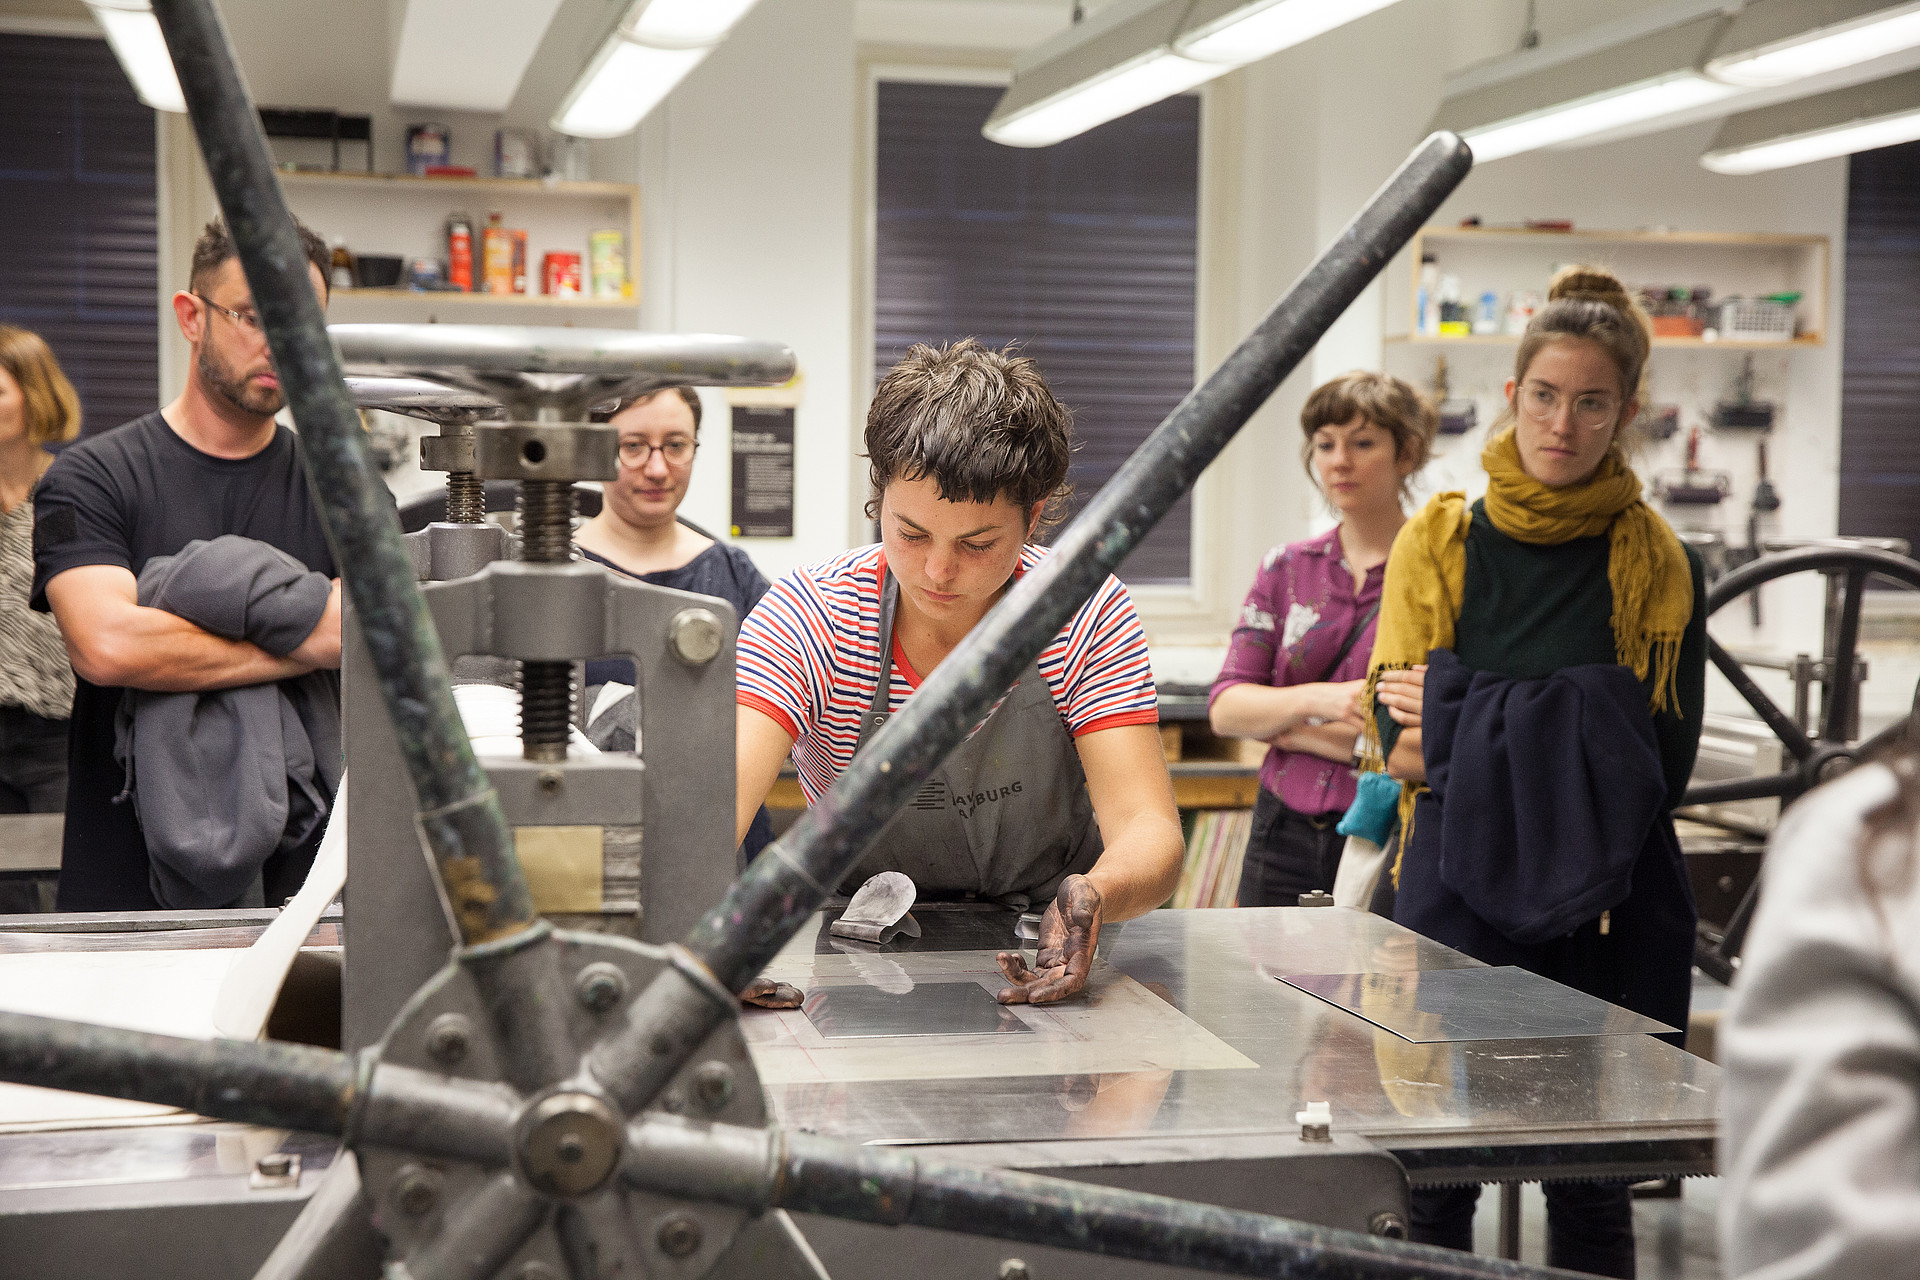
x: 1881, y: 369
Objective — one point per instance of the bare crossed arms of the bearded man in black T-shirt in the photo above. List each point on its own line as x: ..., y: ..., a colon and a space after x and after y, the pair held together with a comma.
x: 112, y: 640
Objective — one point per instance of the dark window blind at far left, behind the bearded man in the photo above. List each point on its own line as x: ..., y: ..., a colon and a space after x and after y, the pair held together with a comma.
x: 78, y: 220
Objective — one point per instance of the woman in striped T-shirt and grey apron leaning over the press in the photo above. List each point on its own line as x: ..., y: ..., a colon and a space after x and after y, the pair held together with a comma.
x: 1061, y: 797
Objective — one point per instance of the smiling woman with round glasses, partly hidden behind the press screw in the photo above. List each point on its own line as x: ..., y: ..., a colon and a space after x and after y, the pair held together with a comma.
x: 642, y: 534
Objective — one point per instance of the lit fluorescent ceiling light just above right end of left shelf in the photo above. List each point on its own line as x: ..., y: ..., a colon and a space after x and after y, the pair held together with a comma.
x: 642, y: 60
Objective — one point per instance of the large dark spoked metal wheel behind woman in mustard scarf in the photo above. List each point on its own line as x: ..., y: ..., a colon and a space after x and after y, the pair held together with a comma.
x: 1823, y: 749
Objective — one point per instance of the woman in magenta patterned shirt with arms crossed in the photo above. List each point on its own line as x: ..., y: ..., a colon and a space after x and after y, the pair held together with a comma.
x: 1301, y: 652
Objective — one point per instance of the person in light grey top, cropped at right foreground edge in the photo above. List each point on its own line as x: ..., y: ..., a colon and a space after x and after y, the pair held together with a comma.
x: 1821, y: 1045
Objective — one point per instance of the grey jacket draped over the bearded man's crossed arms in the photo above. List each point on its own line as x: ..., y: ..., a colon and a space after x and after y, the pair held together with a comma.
x: 226, y: 780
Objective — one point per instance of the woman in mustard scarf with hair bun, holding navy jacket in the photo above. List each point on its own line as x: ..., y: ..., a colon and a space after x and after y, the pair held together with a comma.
x: 1539, y: 682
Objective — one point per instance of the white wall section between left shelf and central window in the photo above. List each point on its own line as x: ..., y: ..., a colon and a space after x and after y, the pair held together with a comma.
x: 748, y: 227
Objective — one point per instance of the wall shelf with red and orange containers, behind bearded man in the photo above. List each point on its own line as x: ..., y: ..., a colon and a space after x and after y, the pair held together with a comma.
x: 406, y: 218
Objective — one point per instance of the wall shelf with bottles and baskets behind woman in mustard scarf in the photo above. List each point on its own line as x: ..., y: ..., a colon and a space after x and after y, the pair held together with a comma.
x: 1516, y: 264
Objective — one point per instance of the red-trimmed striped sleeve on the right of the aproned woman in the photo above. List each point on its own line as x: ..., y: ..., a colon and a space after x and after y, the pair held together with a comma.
x: 1097, y: 667
